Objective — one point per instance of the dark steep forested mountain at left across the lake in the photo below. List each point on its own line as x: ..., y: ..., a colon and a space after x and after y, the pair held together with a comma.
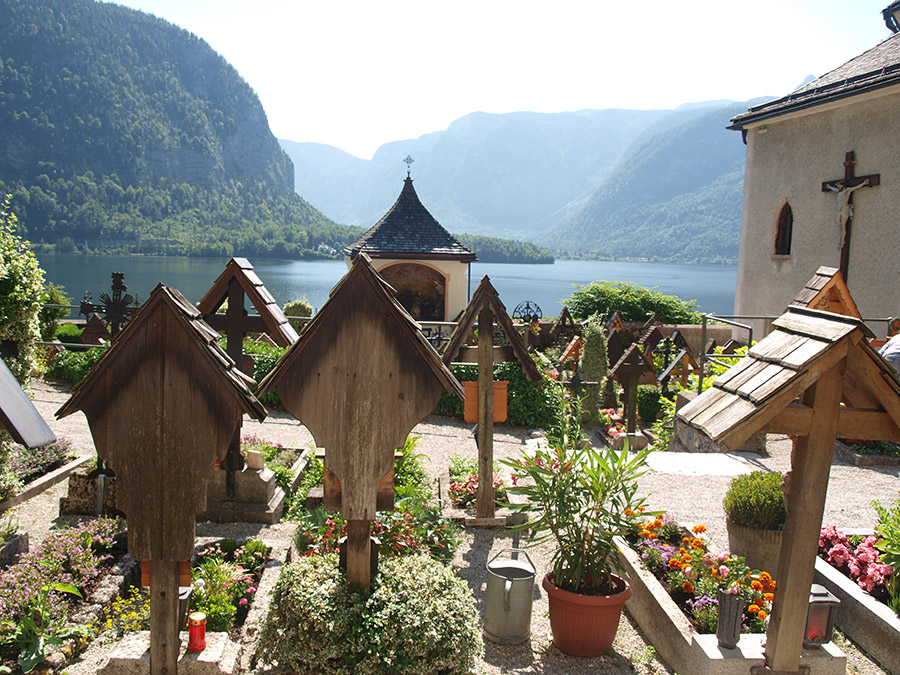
x: 121, y: 131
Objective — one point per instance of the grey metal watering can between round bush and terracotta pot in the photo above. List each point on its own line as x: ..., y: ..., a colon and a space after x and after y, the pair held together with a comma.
x: 510, y: 592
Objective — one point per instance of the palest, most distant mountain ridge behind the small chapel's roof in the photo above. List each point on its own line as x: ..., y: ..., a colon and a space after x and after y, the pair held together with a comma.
x: 501, y: 175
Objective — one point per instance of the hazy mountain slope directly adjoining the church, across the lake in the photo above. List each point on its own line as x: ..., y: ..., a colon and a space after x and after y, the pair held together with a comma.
x: 675, y: 197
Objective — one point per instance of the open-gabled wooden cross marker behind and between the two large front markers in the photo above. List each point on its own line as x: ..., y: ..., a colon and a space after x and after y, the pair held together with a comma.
x: 237, y: 282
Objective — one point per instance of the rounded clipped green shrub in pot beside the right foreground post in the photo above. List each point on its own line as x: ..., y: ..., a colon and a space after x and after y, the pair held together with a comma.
x: 756, y: 500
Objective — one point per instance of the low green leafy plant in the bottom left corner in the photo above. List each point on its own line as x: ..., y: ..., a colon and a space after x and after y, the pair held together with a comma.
x: 39, y: 628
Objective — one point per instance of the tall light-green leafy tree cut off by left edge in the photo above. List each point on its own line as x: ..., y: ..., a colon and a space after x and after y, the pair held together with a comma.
x: 21, y: 290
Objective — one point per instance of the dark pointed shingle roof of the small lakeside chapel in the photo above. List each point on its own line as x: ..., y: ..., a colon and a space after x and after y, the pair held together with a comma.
x: 408, y: 230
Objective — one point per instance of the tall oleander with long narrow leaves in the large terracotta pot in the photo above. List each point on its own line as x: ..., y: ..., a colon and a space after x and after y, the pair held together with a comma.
x: 579, y: 497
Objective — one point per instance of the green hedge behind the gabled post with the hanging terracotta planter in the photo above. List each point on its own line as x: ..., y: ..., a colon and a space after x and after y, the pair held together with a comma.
x: 529, y: 404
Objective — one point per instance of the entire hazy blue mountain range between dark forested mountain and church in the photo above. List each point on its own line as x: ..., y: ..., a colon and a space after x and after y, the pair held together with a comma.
x: 659, y: 184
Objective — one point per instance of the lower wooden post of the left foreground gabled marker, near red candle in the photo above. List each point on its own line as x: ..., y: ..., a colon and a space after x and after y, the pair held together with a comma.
x: 164, y: 617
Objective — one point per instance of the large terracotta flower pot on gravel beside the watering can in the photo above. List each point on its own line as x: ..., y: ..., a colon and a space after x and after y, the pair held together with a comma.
x: 585, y: 625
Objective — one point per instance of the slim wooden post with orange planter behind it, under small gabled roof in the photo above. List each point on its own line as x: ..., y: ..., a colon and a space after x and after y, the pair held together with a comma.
x: 484, y: 504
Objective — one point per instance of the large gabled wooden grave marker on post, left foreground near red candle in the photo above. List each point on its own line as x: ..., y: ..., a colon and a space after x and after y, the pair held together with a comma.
x: 162, y: 405
